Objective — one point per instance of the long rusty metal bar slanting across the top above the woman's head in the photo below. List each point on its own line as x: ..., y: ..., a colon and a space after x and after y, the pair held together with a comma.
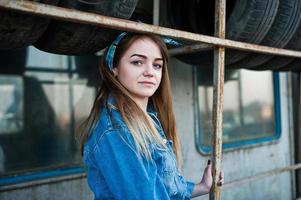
x: 114, y: 23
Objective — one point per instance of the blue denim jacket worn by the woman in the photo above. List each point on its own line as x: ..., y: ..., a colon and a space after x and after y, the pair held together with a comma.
x: 115, y: 170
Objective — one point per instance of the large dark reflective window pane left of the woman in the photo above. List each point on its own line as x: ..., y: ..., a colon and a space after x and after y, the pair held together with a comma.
x: 44, y: 98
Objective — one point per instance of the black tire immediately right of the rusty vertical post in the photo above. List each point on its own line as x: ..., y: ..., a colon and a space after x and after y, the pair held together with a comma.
x: 249, y: 22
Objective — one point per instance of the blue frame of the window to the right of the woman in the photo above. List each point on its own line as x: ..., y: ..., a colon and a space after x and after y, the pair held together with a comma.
x: 205, y: 150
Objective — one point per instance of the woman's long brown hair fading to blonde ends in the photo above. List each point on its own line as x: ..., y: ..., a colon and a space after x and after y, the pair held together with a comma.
x: 139, y: 123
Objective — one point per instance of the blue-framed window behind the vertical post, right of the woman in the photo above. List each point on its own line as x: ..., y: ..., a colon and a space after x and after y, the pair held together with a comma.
x: 251, y: 108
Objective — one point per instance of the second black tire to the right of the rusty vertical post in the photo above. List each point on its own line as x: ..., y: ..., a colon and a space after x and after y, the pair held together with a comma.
x: 283, y: 29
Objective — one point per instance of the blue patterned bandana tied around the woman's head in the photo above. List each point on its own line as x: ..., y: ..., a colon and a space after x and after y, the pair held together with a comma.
x: 112, y: 48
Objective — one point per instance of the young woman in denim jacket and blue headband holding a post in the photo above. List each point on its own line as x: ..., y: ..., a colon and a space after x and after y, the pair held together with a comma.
x: 130, y: 147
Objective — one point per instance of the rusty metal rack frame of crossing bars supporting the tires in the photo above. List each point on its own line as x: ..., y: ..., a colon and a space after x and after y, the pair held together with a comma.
x: 219, y: 43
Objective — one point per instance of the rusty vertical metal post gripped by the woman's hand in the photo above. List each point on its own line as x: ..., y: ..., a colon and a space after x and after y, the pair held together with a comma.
x: 218, y: 98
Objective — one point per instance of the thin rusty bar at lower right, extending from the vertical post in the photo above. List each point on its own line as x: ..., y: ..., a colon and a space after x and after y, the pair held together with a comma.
x: 240, y: 181
